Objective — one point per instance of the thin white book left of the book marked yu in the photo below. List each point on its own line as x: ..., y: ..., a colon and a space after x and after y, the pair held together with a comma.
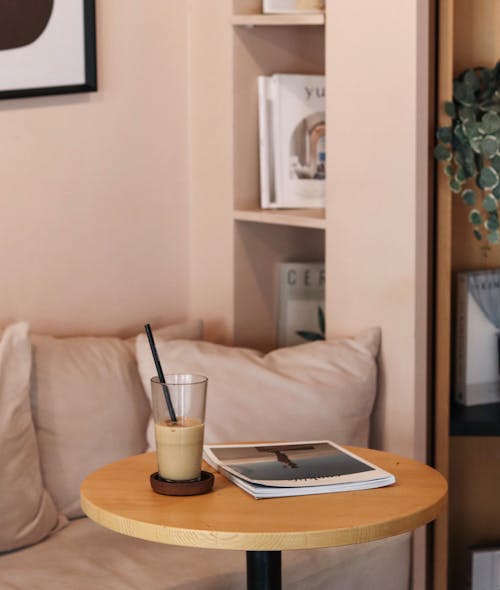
x: 266, y: 148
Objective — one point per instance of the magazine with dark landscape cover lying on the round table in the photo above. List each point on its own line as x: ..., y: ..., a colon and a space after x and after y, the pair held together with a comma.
x: 274, y: 470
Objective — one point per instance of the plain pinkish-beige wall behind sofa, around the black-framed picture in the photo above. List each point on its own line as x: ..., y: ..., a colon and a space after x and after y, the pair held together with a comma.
x: 94, y: 208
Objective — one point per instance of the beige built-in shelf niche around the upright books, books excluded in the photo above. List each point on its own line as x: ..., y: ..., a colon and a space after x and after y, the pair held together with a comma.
x: 264, y: 44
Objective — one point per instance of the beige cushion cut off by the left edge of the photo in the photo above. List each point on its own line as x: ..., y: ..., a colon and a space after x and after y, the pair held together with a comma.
x: 28, y: 513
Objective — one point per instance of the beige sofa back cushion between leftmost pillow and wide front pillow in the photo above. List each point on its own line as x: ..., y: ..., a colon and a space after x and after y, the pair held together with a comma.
x: 88, y: 408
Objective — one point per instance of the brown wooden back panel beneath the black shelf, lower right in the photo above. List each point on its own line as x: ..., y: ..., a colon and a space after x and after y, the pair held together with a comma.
x: 473, y: 505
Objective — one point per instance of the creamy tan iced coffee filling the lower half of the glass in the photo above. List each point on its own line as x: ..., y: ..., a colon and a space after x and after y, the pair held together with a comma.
x: 179, y: 447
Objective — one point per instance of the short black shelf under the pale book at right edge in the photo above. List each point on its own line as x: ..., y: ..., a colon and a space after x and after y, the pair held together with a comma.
x: 482, y: 420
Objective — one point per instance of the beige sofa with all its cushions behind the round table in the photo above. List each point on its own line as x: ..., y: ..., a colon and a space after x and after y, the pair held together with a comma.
x: 69, y: 406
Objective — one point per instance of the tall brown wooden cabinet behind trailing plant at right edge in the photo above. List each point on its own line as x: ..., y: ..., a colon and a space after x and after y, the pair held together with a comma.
x: 465, y: 450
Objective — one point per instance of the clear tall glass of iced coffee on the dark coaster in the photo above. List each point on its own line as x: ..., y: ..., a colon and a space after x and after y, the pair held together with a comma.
x: 179, y: 417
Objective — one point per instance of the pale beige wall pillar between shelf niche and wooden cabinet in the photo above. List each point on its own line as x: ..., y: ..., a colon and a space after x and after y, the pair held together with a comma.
x: 377, y: 215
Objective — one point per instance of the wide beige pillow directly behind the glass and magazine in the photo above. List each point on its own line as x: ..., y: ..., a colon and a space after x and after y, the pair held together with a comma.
x: 318, y: 390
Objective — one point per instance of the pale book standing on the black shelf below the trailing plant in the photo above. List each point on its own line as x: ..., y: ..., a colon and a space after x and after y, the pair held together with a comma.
x: 477, y: 350
